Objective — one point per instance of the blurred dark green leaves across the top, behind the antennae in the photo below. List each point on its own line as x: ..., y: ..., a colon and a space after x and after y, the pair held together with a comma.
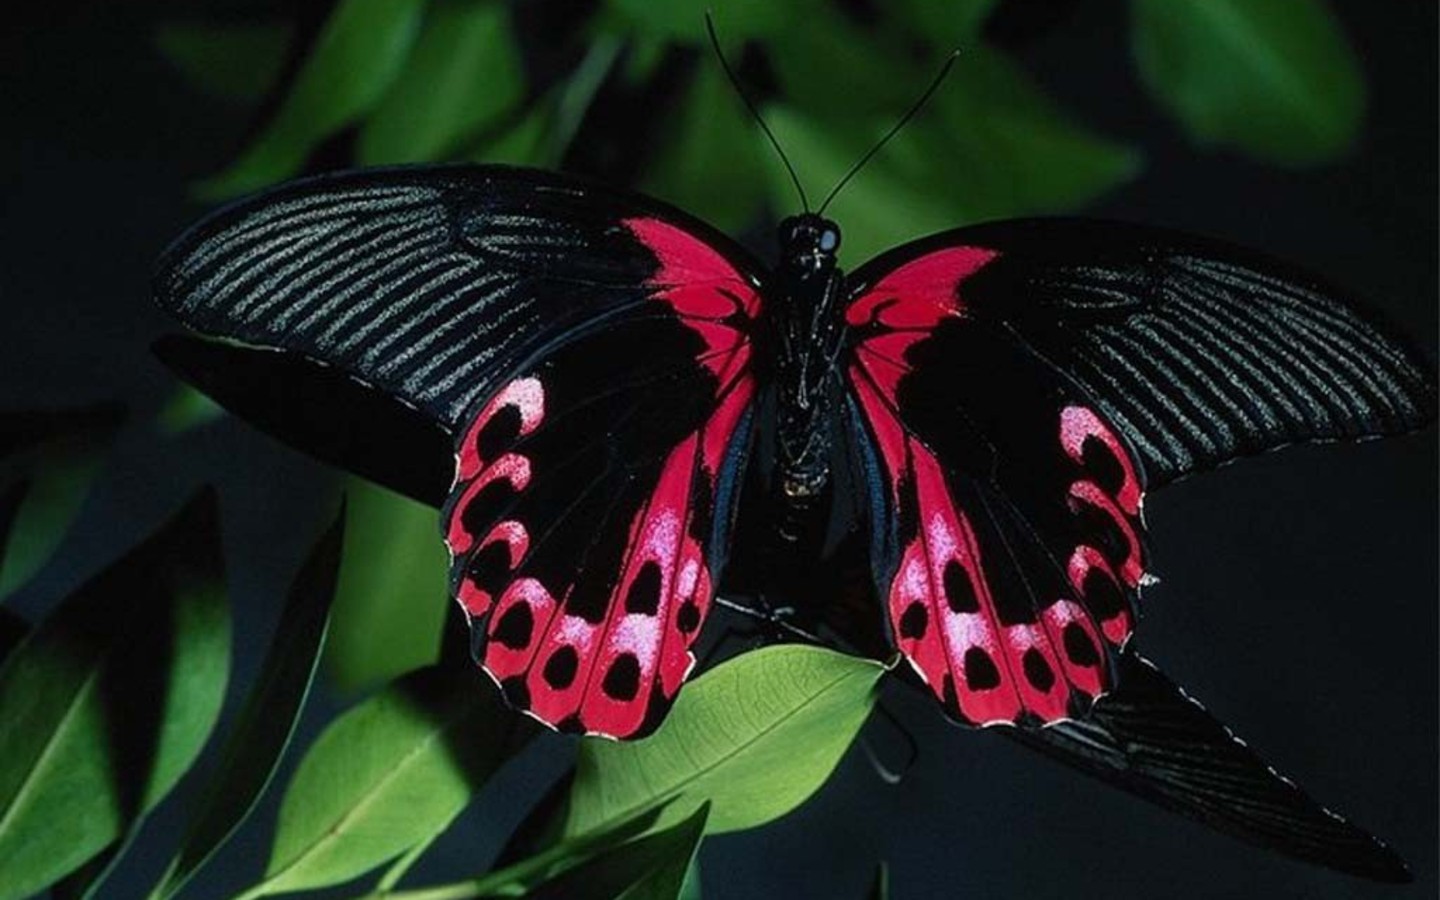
x: 631, y: 93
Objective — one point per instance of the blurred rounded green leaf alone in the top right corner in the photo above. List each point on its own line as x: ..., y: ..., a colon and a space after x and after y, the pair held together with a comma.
x: 1274, y: 78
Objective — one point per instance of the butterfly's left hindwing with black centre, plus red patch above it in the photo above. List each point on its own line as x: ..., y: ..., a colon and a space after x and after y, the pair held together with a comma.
x: 587, y: 523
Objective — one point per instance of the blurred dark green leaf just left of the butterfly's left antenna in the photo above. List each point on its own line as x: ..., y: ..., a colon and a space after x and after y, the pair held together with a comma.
x: 715, y: 138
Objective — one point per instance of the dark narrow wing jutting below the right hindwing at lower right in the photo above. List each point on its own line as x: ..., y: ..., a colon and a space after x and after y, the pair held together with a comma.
x: 1153, y: 739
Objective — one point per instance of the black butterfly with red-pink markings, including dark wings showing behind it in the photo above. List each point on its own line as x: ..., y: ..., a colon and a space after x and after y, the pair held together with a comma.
x: 629, y: 418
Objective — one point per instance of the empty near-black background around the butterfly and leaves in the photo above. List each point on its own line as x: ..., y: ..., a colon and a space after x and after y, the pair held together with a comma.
x: 1300, y: 590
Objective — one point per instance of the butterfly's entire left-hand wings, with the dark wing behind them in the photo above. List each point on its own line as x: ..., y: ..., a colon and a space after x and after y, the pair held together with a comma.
x: 587, y: 354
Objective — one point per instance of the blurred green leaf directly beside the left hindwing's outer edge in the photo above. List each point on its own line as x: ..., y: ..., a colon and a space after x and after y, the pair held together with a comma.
x: 392, y: 598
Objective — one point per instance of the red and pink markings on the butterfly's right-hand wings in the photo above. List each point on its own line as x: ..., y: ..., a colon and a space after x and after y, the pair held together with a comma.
x: 994, y: 640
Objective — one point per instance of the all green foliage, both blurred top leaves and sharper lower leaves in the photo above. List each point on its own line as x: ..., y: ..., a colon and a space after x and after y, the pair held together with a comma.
x: 109, y: 702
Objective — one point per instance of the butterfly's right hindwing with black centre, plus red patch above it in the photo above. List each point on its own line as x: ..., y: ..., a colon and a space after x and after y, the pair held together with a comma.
x: 1013, y: 509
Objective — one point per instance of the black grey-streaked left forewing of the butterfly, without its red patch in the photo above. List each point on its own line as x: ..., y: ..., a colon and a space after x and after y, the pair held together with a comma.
x: 428, y: 284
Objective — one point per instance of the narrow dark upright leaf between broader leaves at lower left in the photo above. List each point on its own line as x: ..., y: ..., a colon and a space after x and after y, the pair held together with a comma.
x: 266, y: 725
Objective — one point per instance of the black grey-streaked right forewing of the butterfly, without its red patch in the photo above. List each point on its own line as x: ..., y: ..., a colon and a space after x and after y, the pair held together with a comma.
x: 1196, y: 351
